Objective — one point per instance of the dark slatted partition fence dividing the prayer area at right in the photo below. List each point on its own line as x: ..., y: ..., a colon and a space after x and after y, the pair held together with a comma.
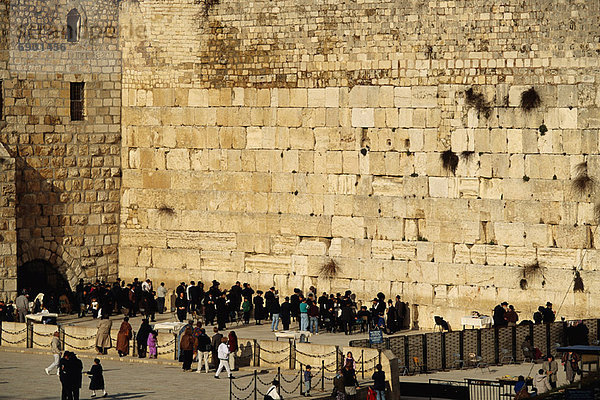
x: 459, y: 349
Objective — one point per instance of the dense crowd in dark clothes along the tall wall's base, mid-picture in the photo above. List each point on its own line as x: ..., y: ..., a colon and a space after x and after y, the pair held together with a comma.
x: 331, y: 312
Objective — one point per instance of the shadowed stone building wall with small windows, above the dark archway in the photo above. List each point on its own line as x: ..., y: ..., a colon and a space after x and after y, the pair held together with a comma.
x: 67, y: 172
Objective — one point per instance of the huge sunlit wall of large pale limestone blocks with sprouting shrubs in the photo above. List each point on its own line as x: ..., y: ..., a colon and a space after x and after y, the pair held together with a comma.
x: 262, y: 140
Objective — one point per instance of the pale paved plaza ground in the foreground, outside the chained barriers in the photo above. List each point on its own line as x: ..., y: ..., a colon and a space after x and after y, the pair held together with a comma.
x: 23, y: 377
